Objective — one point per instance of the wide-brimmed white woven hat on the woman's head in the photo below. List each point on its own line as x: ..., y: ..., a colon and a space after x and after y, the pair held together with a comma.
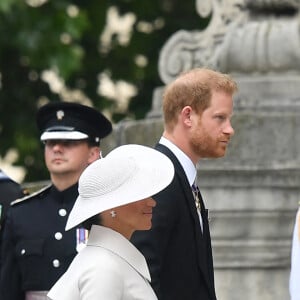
x: 127, y: 174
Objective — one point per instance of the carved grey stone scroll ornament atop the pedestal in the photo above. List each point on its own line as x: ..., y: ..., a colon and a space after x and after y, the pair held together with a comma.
x: 242, y: 37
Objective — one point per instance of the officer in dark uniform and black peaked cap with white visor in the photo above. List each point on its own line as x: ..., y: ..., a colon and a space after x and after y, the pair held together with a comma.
x: 36, y: 248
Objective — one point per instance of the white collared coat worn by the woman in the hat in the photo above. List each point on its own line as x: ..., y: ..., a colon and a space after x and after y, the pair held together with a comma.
x: 108, y: 268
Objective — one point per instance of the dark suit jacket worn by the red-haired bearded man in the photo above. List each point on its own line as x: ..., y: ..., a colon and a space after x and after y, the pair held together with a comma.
x: 178, y: 254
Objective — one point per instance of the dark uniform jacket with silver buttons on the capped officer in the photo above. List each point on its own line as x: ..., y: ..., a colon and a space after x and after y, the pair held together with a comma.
x: 36, y: 248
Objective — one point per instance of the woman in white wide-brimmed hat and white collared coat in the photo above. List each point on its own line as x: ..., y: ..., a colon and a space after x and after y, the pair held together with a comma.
x: 114, y: 200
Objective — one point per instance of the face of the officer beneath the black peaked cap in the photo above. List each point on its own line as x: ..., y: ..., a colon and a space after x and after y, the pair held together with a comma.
x: 67, y: 157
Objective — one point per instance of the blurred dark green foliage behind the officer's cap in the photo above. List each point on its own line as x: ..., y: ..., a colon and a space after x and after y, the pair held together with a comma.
x: 31, y: 40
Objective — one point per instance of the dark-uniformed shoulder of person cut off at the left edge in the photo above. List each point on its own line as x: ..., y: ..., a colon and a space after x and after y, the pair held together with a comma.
x: 9, y: 191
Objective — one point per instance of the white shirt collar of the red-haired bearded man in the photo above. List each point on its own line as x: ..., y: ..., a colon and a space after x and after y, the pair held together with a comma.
x: 187, y: 164
